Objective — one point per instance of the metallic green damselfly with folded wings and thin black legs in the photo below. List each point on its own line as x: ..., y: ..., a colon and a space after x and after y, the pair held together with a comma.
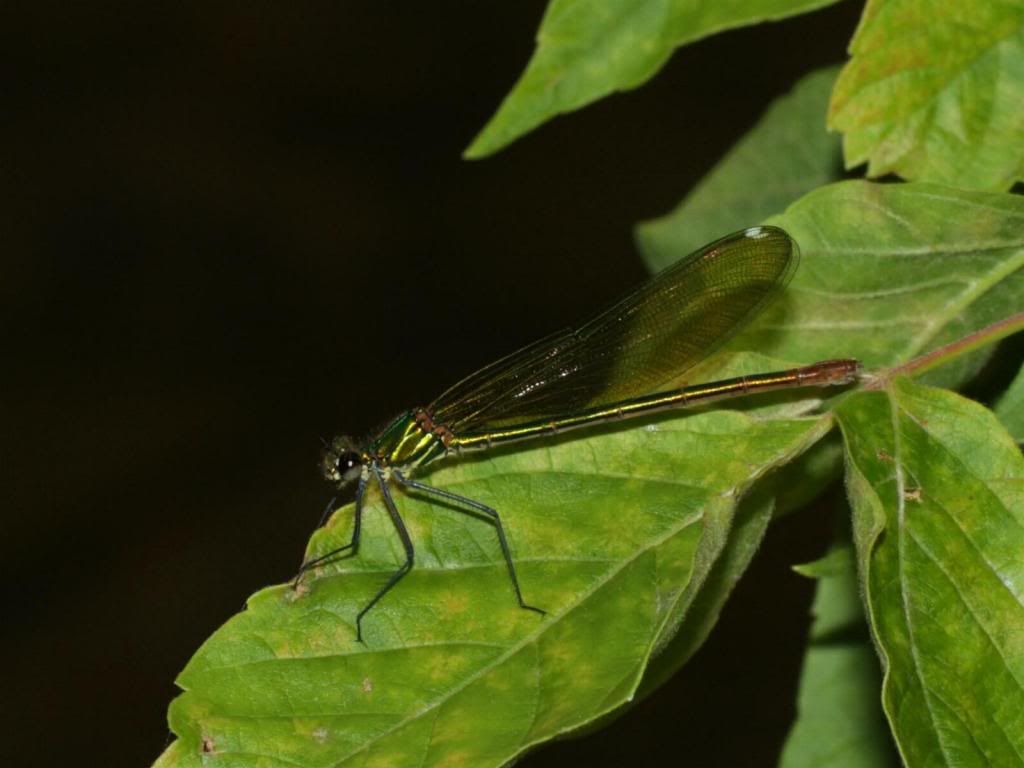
x: 609, y: 369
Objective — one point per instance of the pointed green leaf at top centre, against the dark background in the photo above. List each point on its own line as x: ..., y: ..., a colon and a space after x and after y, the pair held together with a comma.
x: 587, y: 50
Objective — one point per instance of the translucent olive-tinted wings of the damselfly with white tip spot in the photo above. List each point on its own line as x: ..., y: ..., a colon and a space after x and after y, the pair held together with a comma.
x: 654, y: 335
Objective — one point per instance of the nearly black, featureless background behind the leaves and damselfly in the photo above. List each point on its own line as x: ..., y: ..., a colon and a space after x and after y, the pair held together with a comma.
x: 230, y: 230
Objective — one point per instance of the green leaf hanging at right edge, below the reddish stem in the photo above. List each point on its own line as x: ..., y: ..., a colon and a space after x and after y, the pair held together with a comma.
x: 937, y: 488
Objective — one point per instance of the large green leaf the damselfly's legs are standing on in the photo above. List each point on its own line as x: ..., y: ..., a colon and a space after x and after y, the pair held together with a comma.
x: 614, y: 533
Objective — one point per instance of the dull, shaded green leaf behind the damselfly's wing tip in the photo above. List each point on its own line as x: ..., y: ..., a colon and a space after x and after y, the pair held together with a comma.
x: 786, y: 155
